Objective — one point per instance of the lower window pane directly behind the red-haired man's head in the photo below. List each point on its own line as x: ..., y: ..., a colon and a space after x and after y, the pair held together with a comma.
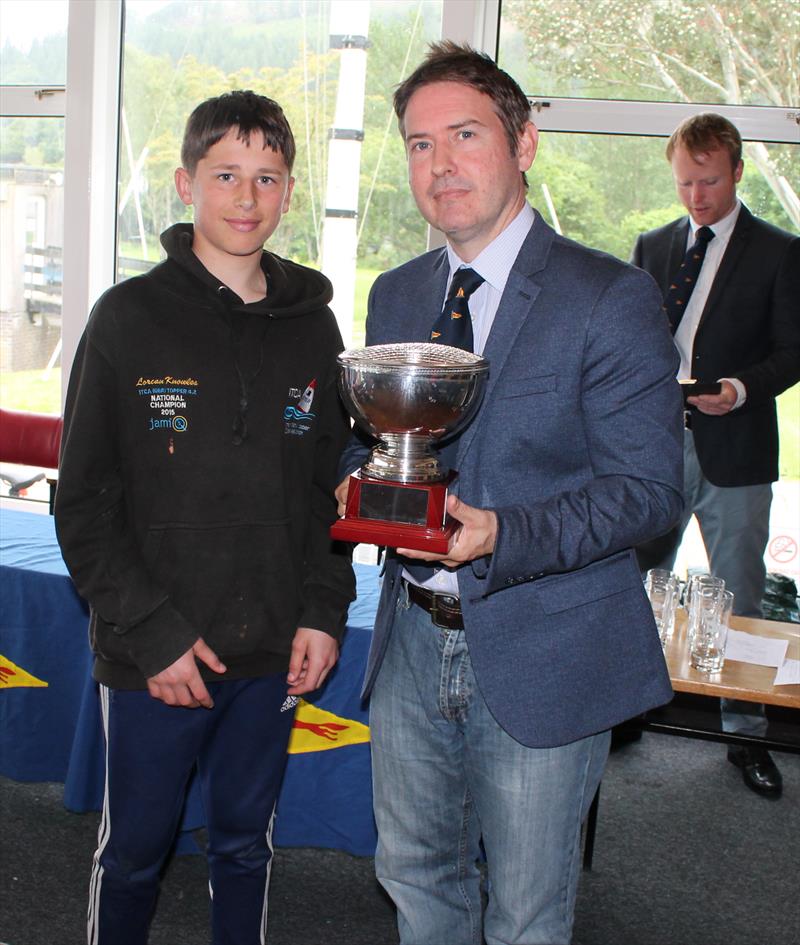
x: 604, y: 190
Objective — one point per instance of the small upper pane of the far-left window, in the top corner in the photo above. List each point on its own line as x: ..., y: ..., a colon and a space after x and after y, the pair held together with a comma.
x: 33, y: 42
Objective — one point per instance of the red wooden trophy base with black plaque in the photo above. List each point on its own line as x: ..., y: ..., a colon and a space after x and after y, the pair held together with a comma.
x: 396, y: 514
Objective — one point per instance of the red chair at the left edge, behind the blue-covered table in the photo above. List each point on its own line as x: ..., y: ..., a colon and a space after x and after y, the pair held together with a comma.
x: 30, y: 439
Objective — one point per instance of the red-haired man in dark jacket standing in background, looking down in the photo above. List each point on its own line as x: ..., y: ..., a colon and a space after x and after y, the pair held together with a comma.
x: 740, y: 326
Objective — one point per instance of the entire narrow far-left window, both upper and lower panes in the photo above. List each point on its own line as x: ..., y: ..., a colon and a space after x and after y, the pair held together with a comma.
x: 32, y: 71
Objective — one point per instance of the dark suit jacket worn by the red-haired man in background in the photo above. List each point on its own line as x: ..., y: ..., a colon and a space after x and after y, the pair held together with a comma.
x: 749, y: 329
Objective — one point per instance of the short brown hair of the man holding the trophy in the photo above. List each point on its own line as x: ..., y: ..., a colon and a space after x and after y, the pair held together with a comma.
x: 450, y: 62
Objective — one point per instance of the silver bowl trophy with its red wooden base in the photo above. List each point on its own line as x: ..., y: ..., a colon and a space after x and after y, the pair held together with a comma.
x: 408, y: 396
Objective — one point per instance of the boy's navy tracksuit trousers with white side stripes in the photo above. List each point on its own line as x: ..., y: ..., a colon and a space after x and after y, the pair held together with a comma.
x: 239, y: 748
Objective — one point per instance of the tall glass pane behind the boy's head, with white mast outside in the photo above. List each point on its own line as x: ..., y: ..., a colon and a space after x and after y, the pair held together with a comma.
x: 178, y: 54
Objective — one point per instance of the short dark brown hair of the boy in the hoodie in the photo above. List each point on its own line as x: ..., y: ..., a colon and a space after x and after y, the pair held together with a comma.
x: 244, y: 110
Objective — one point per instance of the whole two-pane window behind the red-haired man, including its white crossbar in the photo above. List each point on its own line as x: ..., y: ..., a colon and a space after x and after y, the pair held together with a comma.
x: 651, y: 64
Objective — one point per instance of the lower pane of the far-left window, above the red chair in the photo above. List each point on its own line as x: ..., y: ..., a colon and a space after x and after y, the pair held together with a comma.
x: 31, y: 232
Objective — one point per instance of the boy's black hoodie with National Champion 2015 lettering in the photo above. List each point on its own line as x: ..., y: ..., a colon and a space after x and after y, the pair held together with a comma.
x: 199, y: 458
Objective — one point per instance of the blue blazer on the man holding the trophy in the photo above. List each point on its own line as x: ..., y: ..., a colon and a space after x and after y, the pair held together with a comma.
x: 578, y: 448
